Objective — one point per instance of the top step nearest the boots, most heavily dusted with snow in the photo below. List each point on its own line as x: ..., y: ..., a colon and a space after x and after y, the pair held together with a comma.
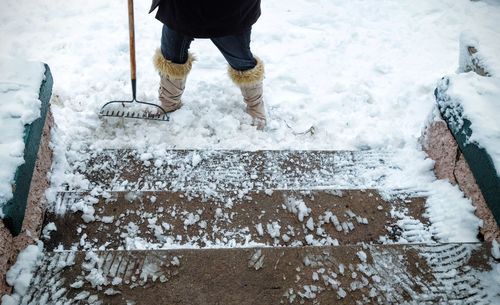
x: 211, y: 171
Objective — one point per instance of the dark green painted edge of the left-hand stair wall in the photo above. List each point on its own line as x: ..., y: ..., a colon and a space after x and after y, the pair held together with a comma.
x: 14, y: 209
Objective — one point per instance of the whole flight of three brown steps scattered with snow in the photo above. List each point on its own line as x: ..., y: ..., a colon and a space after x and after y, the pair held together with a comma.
x: 235, y: 227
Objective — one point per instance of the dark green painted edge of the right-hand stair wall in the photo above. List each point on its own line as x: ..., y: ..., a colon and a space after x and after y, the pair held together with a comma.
x: 478, y: 159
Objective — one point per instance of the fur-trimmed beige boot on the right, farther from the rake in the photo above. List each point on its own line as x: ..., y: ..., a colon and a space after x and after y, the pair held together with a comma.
x: 251, y: 85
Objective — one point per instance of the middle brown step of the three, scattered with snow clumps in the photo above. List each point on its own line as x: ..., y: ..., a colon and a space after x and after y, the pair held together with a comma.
x: 152, y: 220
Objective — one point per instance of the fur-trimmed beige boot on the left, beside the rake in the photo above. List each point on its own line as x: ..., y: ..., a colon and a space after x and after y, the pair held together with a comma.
x: 173, y: 80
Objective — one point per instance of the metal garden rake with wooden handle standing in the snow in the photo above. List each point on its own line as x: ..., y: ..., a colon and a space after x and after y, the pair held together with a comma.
x: 126, y: 109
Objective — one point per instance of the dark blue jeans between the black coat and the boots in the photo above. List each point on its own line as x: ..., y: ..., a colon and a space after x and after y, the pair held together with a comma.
x: 234, y: 48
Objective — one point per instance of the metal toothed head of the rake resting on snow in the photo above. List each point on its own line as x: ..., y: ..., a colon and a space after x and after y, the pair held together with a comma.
x: 134, y: 110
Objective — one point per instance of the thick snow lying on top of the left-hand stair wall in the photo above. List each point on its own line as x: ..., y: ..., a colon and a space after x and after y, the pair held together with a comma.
x: 19, y: 105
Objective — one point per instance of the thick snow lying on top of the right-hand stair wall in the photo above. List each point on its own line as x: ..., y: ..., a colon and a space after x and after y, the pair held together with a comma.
x: 479, y: 96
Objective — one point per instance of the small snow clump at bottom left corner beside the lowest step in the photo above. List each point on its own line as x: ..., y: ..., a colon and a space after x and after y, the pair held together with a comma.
x: 20, y: 274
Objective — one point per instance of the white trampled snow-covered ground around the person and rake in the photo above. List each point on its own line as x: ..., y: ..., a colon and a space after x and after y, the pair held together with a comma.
x: 361, y: 73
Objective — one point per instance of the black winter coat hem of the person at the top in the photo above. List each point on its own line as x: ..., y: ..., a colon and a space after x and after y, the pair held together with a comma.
x: 207, y: 18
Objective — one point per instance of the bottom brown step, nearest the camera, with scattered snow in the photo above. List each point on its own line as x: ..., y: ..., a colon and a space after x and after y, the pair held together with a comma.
x: 362, y: 274
